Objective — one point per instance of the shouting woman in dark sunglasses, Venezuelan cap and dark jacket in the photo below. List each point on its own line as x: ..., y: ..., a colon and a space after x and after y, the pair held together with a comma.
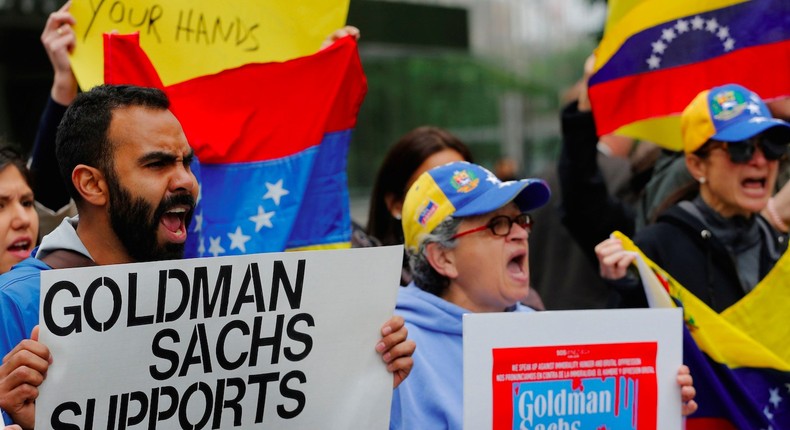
x: 717, y: 246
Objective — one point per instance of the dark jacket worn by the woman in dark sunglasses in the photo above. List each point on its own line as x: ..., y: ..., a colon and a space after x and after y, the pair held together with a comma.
x: 680, y: 243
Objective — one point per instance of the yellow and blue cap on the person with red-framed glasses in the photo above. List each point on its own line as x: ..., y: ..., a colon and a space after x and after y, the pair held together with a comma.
x: 462, y: 189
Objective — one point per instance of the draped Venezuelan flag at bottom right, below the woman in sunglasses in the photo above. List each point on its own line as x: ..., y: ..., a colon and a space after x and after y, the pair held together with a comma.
x: 740, y: 359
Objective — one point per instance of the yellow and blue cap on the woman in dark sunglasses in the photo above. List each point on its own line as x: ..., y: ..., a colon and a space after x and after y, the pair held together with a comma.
x: 728, y: 113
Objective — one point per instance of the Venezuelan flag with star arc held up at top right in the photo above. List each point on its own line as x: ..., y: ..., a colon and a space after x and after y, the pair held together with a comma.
x: 656, y: 55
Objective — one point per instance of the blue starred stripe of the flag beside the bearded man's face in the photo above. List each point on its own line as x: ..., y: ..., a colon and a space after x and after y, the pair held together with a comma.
x: 269, y: 206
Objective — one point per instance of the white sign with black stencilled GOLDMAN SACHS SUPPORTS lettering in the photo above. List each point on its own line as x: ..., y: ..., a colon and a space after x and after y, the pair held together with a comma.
x: 280, y: 340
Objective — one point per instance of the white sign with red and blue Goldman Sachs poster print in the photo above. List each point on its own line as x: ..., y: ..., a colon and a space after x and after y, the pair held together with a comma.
x: 590, y: 369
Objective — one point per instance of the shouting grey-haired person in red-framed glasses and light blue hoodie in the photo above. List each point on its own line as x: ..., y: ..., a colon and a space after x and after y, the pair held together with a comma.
x: 467, y: 234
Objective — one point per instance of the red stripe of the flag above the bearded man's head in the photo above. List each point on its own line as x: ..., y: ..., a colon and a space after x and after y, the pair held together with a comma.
x: 256, y: 112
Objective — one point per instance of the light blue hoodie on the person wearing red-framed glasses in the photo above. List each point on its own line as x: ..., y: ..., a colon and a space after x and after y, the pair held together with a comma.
x: 432, y: 397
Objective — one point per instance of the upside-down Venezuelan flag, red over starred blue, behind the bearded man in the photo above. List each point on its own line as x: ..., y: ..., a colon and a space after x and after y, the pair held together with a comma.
x: 272, y: 141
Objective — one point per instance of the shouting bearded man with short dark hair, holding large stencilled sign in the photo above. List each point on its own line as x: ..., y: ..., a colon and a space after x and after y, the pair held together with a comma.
x: 126, y: 163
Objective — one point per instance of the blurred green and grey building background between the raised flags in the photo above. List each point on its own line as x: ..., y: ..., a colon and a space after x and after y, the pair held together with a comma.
x: 496, y: 84
